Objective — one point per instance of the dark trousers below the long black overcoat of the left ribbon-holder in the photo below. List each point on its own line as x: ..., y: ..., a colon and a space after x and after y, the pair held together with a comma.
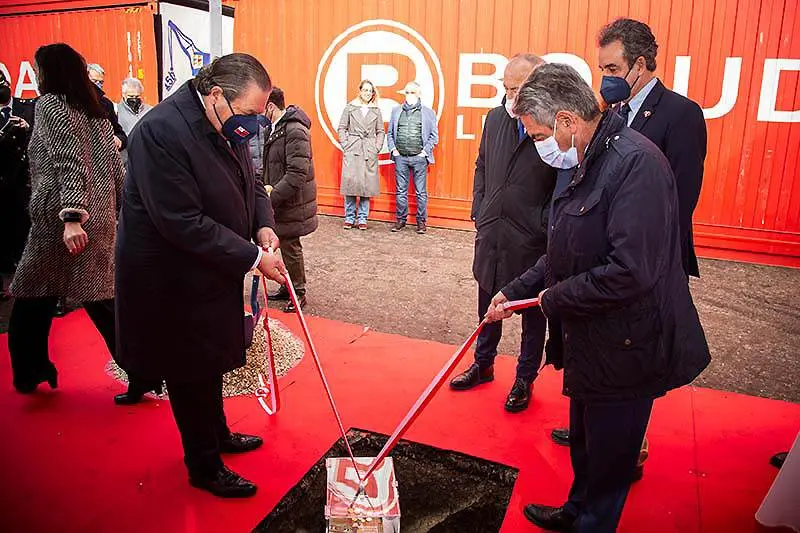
x: 198, y: 411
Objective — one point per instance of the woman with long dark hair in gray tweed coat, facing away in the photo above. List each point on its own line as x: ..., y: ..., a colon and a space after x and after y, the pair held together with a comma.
x: 76, y: 176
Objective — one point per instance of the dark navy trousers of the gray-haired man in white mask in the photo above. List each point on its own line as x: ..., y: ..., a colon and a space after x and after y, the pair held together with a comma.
x: 605, y: 439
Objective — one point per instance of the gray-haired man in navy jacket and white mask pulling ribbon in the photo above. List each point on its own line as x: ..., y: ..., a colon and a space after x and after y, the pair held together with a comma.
x: 629, y: 330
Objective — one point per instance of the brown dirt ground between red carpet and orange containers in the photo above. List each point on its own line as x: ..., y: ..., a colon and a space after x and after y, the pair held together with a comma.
x: 421, y: 286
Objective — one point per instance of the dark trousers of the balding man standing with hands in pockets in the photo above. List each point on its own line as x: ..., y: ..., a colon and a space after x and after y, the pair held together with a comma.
x: 534, y: 325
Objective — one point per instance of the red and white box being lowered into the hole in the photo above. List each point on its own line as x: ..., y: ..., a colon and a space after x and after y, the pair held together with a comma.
x: 376, y: 509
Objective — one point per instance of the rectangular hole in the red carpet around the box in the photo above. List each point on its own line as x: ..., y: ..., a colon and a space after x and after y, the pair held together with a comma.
x: 440, y: 491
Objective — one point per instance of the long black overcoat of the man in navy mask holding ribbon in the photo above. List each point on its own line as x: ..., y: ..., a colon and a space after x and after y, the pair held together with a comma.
x: 191, y: 205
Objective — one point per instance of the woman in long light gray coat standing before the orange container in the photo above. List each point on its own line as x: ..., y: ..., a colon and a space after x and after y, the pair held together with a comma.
x: 361, y: 135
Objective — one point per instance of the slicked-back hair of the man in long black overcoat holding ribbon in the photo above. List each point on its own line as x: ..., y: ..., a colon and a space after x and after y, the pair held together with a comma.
x: 232, y: 73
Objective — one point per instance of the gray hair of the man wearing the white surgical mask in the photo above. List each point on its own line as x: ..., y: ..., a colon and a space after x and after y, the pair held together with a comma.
x: 553, y: 88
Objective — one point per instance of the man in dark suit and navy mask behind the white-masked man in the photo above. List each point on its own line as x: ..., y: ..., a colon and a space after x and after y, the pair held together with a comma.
x: 627, y: 56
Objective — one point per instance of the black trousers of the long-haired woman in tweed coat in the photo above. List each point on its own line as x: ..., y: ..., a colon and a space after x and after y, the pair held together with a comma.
x: 29, y: 329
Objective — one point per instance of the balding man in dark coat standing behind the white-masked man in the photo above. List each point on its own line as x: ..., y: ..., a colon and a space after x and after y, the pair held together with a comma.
x: 510, y: 199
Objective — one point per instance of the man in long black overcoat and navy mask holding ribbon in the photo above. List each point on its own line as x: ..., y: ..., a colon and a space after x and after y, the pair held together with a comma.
x: 191, y: 207
